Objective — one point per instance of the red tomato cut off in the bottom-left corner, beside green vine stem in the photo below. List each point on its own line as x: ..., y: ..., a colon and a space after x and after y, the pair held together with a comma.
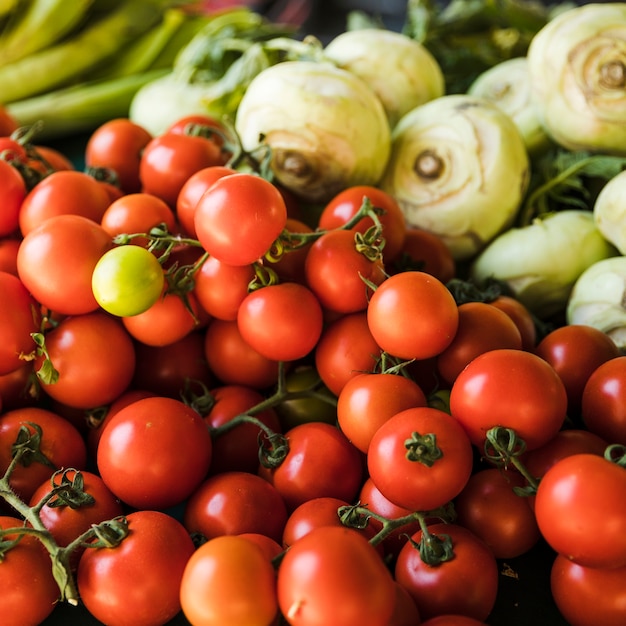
x: 30, y: 592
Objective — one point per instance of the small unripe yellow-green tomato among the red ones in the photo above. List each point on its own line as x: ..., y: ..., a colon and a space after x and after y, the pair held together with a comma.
x: 127, y: 280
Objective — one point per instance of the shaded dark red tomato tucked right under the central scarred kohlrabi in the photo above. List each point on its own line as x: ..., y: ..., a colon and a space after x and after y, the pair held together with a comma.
x: 426, y: 252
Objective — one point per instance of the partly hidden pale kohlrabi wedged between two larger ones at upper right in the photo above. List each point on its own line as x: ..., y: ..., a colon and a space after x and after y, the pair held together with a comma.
x: 507, y: 85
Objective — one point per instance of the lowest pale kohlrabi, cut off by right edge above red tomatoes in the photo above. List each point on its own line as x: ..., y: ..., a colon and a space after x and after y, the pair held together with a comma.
x: 598, y: 299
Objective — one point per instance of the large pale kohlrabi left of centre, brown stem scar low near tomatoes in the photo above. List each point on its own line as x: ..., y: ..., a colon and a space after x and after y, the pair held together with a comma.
x: 326, y: 129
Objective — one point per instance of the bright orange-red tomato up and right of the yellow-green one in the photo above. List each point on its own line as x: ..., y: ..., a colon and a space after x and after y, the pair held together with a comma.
x: 239, y: 217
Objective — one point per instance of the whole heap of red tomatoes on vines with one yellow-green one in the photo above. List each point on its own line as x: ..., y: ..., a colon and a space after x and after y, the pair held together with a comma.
x: 220, y: 403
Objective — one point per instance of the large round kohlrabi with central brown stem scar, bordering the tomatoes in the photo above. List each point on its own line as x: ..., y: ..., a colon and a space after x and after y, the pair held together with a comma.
x: 458, y: 168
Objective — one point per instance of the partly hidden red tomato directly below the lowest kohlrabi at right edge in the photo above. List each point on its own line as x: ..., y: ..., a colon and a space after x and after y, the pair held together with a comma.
x: 575, y: 351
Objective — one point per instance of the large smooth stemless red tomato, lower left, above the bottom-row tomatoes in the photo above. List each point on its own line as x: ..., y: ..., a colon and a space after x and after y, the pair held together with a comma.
x: 154, y: 453
